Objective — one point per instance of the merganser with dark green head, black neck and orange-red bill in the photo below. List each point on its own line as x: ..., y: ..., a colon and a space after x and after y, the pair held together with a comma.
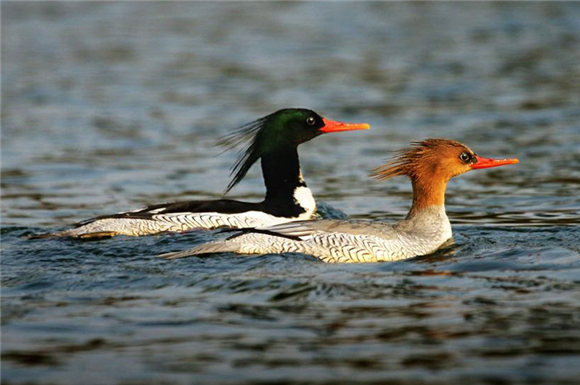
x: 274, y: 140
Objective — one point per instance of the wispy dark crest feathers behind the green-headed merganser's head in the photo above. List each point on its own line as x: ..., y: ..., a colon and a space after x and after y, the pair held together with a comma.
x: 245, y: 135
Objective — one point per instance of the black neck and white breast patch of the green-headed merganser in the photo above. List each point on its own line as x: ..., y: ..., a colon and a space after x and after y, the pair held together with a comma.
x: 286, y: 191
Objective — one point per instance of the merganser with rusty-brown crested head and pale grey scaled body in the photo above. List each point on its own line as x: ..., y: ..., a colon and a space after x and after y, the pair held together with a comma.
x: 430, y: 164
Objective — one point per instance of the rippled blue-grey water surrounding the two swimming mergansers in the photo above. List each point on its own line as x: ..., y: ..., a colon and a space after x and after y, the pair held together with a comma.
x: 109, y: 106
